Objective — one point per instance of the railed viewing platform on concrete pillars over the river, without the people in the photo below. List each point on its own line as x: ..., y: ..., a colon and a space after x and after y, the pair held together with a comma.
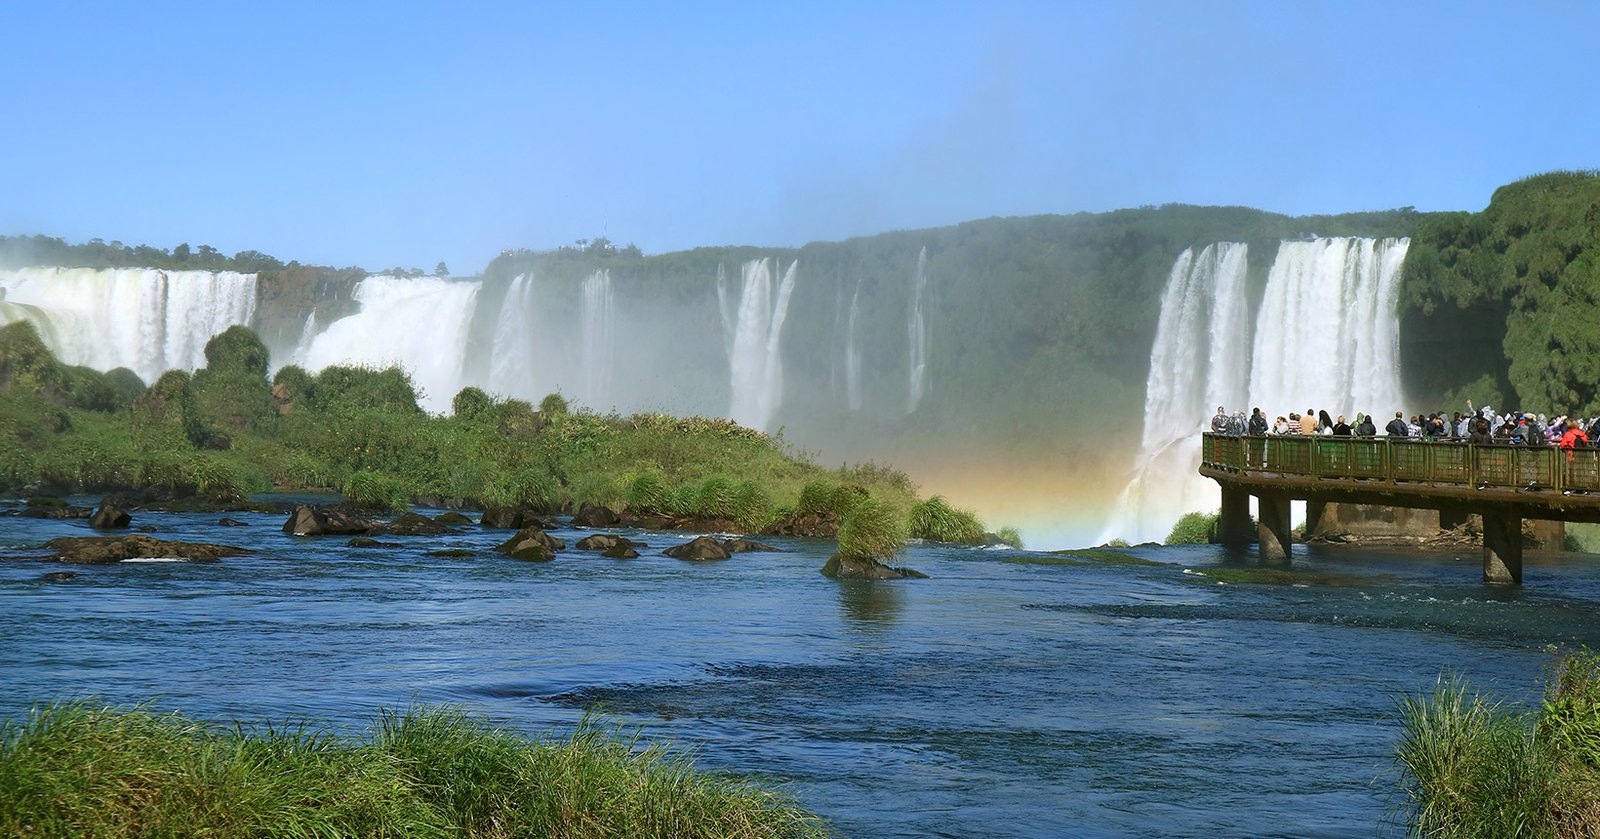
x: 1503, y: 484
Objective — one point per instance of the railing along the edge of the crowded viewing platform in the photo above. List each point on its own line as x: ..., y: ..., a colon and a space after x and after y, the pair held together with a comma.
x: 1407, y: 462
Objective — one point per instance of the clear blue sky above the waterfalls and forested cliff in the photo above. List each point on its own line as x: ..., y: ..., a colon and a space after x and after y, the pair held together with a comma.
x: 409, y: 134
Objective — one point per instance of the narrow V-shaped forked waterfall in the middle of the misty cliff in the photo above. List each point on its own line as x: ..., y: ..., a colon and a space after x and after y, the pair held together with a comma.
x: 753, y: 331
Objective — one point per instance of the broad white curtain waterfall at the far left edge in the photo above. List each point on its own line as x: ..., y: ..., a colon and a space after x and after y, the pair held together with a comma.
x: 143, y: 319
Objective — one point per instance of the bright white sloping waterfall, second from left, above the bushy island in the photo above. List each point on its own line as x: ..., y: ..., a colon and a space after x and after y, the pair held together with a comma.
x: 415, y: 323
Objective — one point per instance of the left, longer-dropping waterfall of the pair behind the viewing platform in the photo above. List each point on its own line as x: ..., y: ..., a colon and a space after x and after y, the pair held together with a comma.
x: 1199, y: 361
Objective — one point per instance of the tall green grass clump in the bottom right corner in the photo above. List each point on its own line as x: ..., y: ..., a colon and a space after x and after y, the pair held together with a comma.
x: 1478, y: 768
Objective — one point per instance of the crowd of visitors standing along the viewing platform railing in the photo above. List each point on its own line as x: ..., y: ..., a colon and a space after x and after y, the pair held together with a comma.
x: 1476, y: 427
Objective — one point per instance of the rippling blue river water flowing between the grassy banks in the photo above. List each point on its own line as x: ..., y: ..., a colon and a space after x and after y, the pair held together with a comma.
x: 996, y: 699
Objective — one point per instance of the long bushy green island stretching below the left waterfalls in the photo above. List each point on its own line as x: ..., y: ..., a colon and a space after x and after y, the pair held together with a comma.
x: 230, y: 432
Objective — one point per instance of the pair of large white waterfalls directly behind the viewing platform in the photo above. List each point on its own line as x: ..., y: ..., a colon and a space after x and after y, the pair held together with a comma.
x: 1326, y: 337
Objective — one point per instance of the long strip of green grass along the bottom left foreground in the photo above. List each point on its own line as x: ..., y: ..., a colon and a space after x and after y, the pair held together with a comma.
x: 84, y: 771
